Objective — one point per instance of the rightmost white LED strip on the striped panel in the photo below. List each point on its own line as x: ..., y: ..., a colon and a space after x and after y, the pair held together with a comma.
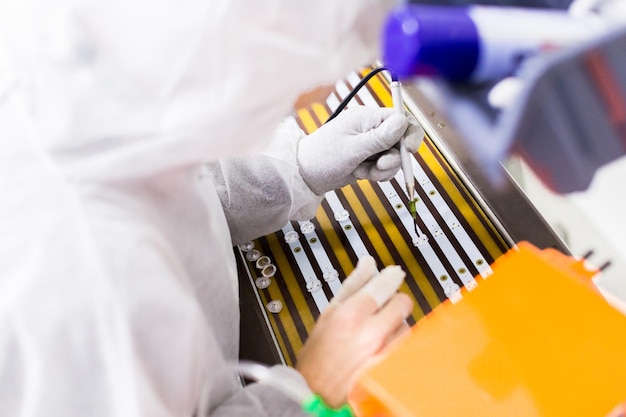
x: 451, y: 220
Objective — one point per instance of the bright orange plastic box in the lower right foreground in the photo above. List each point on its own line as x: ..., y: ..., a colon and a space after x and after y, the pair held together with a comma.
x: 533, y: 339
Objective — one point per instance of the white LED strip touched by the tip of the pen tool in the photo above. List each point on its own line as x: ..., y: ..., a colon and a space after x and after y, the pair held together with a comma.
x: 434, y: 263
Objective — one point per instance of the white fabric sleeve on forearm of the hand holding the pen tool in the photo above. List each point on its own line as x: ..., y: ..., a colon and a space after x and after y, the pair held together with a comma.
x: 261, y: 193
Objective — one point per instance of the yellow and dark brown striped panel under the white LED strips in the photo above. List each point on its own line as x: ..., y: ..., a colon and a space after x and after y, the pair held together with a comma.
x: 376, y: 223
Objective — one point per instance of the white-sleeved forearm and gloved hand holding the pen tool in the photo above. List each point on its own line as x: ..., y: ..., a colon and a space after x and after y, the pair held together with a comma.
x: 287, y: 181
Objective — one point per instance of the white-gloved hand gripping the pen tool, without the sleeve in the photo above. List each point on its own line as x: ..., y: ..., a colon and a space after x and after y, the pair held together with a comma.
x: 357, y: 144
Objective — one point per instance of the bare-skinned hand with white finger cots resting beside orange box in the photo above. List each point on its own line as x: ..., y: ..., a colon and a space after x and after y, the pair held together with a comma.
x: 366, y: 315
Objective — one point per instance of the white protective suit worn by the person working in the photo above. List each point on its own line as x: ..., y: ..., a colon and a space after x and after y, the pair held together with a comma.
x: 118, y: 292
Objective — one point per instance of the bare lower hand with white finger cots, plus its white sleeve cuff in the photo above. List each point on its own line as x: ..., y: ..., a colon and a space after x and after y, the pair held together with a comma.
x: 365, y: 317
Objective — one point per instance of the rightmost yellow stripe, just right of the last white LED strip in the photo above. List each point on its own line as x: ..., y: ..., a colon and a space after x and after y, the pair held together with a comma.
x: 460, y: 202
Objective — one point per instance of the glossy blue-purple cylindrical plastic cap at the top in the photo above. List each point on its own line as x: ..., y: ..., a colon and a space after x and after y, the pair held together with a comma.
x: 431, y: 40
